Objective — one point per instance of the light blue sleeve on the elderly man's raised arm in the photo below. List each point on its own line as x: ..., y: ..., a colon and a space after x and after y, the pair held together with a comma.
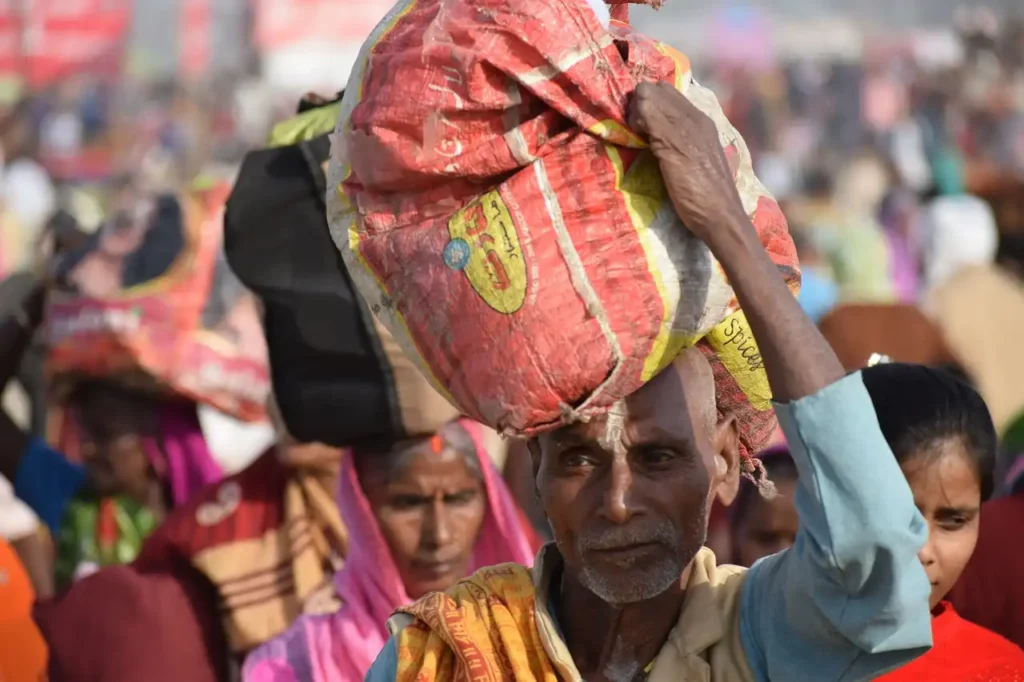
x: 849, y: 601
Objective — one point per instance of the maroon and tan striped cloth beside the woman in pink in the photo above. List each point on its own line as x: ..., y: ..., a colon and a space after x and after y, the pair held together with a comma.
x: 269, y: 540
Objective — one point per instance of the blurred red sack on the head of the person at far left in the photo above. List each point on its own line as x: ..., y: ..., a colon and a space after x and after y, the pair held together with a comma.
x: 149, y: 303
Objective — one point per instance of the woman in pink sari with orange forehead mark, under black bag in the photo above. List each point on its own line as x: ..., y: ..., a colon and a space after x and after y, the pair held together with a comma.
x: 420, y: 518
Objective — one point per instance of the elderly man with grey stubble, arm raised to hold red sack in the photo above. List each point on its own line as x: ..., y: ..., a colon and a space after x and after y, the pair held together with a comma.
x: 628, y: 592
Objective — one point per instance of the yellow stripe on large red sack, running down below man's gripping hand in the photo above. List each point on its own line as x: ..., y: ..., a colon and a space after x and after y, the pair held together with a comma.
x: 645, y: 194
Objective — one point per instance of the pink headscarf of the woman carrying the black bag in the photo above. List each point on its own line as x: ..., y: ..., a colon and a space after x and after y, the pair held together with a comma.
x: 343, y: 647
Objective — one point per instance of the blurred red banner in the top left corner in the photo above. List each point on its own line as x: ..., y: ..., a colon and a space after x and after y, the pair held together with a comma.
x: 46, y: 40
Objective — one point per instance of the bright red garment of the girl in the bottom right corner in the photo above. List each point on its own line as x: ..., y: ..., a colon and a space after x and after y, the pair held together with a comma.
x: 963, y: 653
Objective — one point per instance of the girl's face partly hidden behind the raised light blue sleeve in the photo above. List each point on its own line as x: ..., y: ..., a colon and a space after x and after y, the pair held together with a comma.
x: 948, y: 491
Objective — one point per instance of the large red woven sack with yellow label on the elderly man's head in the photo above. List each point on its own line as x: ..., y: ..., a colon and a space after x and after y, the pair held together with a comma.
x: 513, y: 233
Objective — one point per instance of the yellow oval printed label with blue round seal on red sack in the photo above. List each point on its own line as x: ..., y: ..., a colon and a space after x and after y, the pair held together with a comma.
x: 486, y: 247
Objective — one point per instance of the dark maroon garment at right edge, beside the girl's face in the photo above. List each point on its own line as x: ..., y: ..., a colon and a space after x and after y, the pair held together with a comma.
x: 992, y: 590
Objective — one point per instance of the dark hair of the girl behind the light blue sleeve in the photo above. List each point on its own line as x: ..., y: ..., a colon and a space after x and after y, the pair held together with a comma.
x: 918, y: 407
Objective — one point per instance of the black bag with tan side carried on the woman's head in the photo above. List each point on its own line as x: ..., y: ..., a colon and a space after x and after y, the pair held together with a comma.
x: 337, y: 377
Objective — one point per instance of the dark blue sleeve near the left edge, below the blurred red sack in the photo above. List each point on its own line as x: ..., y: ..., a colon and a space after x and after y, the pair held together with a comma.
x: 48, y: 482
